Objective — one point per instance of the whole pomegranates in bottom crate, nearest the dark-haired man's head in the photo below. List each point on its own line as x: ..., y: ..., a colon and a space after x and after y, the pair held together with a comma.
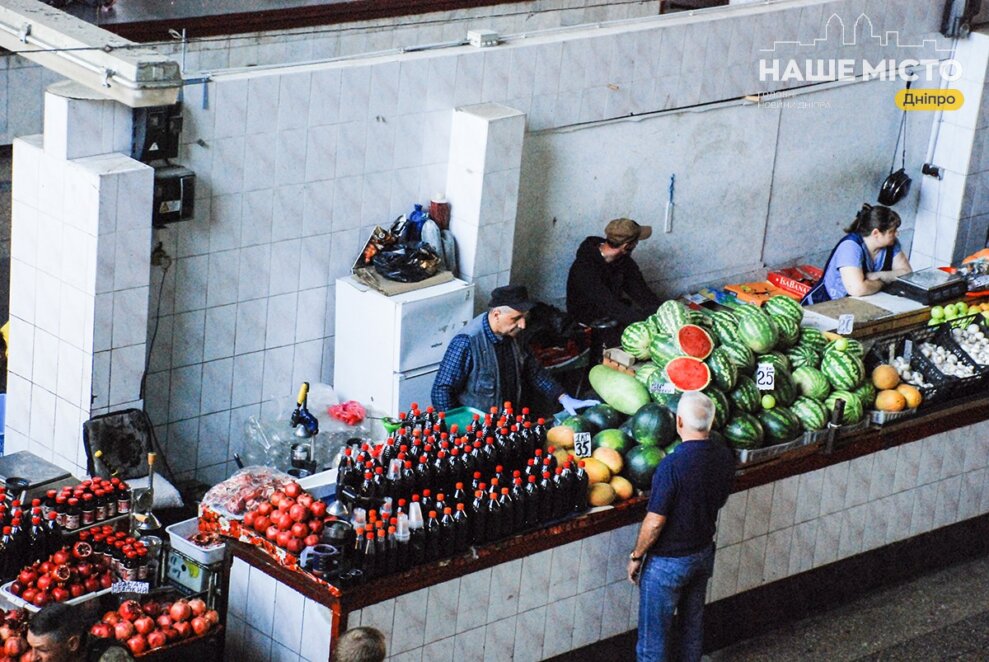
x: 144, y: 627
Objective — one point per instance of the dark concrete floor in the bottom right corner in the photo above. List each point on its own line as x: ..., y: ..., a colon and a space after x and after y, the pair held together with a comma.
x: 942, y: 615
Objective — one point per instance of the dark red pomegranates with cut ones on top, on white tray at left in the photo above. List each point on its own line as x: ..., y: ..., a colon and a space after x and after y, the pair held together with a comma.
x: 71, y: 572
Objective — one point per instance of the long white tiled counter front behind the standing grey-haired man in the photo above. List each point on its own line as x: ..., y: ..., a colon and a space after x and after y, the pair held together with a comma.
x: 576, y: 594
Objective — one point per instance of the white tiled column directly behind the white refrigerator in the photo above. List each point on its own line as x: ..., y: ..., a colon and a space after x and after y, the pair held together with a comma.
x: 483, y: 189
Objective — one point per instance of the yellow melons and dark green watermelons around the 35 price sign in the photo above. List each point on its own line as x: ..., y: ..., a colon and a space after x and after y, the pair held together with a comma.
x: 625, y: 449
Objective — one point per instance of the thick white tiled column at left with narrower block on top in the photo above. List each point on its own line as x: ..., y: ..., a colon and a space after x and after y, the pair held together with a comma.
x: 80, y: 271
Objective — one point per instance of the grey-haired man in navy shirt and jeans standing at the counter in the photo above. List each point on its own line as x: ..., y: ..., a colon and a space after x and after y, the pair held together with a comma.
x: 674, y: 554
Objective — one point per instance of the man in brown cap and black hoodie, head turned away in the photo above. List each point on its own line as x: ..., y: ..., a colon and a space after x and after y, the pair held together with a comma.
x: 605, y: 282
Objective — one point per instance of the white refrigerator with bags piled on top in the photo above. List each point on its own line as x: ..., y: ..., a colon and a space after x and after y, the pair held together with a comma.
x: 388, y: 349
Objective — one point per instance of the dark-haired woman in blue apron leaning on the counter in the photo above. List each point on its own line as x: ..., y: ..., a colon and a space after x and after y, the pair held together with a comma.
x: 865, y: 259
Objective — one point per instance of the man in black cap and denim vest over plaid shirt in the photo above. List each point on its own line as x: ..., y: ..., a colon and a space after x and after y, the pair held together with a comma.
x: 485, y: 365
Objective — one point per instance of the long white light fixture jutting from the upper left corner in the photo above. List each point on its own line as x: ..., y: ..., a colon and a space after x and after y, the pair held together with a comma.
x: 132, y: 74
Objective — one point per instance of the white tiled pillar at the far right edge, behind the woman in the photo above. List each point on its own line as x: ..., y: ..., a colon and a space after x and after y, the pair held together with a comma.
x: 953, y: 219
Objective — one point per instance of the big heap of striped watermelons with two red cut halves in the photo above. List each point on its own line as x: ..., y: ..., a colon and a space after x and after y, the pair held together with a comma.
x: 718, y: 352
